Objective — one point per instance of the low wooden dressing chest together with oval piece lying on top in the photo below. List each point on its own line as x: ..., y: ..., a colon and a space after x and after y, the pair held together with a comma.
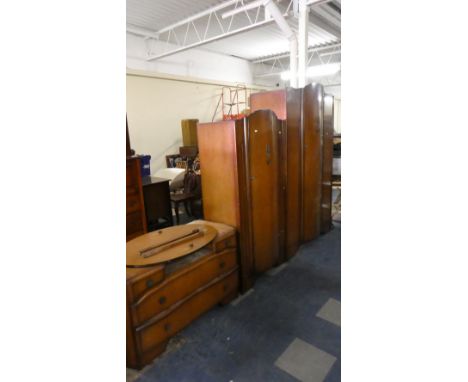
x: 188, y: 278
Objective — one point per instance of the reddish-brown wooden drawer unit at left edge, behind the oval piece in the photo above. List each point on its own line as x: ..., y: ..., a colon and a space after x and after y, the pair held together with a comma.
x: 135, y: 211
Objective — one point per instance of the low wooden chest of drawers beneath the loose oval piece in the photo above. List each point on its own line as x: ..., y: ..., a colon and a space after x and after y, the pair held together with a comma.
x: 163, y: 299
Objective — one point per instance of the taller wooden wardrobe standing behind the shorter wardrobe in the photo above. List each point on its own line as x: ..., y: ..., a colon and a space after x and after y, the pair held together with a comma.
x: 308, y: 115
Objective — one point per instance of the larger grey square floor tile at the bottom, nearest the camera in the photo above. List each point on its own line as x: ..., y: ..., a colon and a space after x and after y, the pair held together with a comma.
x: 305, y: 362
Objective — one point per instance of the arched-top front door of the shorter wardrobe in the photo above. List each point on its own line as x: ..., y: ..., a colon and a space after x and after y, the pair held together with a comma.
x: 264, y: 172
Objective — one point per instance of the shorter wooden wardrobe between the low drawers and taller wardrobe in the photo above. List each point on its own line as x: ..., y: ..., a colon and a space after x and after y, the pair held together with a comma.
x: 243, y: 185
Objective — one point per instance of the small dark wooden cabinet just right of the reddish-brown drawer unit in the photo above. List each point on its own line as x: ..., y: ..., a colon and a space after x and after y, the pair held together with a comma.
x: 157, y: 200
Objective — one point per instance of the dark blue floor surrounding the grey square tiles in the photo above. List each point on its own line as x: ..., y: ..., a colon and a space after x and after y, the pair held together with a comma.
x: 241, y: 343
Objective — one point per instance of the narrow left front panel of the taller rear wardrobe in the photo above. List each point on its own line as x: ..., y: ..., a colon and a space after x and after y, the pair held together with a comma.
x: 294, y: 176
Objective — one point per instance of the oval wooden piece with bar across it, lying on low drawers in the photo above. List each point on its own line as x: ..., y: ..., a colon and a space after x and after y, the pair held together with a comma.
x: 168, y: 244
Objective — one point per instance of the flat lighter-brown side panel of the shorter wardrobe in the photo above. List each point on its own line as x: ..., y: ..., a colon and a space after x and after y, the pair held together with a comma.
x: 218, y: 161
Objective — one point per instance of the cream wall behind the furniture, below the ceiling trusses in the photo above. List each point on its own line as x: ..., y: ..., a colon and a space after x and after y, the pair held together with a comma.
x: 157, y: 103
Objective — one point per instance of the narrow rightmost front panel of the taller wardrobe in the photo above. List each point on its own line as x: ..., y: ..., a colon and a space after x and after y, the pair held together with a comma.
x: 327, y: 164
